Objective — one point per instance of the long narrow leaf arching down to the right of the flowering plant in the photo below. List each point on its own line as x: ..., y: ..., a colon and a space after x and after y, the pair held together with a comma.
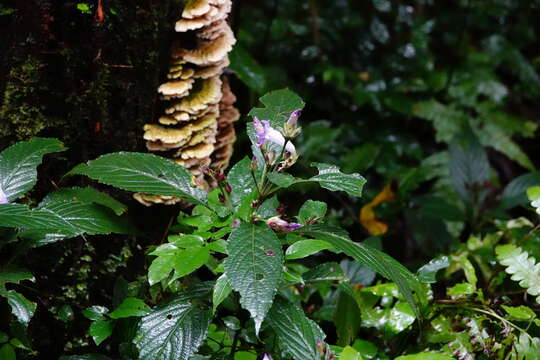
x: 373, y: 258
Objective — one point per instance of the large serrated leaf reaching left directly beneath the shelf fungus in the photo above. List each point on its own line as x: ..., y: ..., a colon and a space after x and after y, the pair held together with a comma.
x: 145, y: 173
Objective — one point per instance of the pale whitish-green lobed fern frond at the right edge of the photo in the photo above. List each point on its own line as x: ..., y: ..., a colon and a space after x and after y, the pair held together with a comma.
x: 523, y: 268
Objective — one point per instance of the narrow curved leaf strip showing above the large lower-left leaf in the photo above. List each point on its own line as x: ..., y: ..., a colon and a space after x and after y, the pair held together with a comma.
x: 86, y: 195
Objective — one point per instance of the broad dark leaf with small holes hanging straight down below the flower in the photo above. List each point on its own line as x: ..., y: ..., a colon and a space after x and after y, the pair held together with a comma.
x: 254, y: 267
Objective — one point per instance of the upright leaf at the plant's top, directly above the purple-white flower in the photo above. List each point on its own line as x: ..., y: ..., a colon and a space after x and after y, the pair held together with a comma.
x: 278, y: 106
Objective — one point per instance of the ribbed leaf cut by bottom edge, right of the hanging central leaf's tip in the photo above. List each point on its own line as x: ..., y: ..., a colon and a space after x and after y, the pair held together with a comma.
x: 297, y: 334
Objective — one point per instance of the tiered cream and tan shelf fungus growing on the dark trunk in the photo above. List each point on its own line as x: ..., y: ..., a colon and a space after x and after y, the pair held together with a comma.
x: 196, y: 128
